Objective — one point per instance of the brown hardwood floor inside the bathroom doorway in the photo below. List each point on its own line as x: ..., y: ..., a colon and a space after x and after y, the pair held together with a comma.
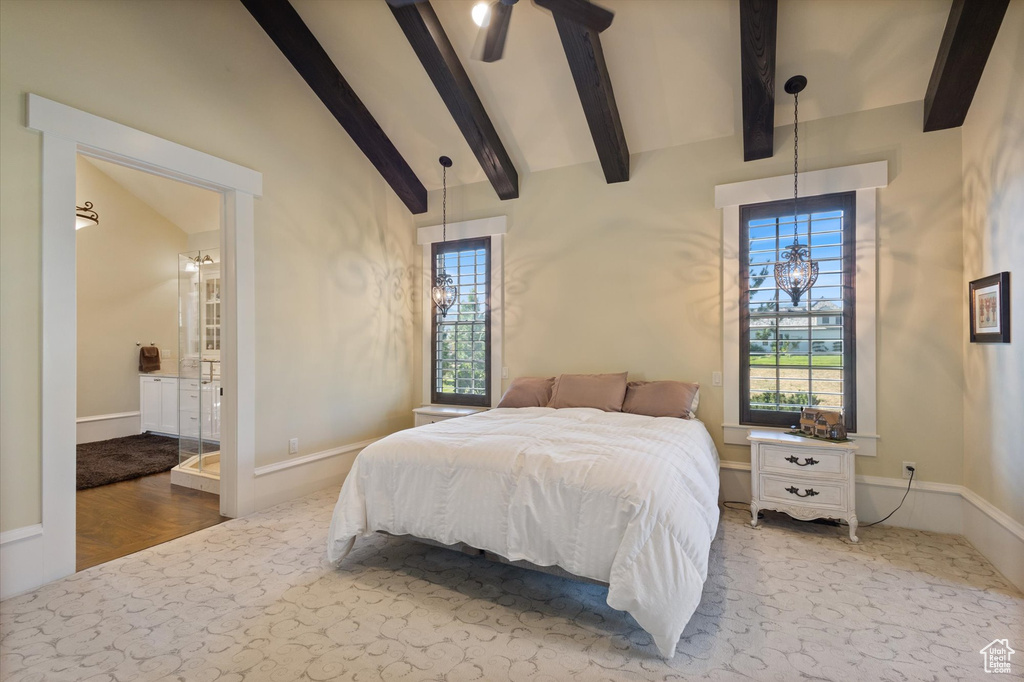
x: 121, y: 519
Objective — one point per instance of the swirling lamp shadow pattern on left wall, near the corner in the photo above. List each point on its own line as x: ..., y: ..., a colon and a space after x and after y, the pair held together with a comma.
x: 359, y: 278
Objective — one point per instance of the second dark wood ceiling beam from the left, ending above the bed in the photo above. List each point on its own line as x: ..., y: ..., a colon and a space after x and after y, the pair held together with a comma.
x: 433, y: 47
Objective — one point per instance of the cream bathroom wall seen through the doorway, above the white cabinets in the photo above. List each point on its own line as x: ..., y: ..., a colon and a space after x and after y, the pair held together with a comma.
x: 127, y: 292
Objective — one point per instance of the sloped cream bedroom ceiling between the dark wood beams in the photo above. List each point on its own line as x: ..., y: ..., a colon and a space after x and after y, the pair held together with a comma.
x: 674, y: 66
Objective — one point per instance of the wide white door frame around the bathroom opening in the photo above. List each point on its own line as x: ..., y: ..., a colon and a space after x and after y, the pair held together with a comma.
x: 66, y: 134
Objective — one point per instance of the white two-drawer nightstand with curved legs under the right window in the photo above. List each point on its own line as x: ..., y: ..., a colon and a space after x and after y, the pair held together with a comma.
x: 804, y: 478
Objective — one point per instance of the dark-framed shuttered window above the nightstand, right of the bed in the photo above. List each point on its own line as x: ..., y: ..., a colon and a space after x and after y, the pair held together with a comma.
x: 804, y: 356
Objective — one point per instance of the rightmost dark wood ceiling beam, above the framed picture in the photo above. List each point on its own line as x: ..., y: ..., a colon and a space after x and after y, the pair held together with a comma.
x: 968, y: 39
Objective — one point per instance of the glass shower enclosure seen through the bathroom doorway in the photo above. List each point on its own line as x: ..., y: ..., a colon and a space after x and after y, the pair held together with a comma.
x: 199, y: 371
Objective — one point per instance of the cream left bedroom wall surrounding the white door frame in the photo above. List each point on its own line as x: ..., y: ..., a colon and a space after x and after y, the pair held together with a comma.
x: 334, y: 246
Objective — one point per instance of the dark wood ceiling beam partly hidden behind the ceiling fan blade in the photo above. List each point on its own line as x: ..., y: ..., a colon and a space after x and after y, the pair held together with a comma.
x: 586, y: 58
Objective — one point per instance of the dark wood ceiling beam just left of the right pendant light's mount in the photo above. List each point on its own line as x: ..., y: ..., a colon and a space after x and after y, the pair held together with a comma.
x: 758, y: 27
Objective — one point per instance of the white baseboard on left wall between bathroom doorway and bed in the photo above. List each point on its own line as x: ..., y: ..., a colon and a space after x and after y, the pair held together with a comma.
x: 292, y: 479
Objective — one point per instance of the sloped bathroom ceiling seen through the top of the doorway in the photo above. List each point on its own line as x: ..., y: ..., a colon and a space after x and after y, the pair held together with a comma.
x: 191, y: 208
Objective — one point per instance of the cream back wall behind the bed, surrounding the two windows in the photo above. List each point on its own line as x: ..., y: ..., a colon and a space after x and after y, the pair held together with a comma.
x: 607, y: 278
